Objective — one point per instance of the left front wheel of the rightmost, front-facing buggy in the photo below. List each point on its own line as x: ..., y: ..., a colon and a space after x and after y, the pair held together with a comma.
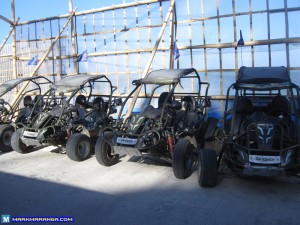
x: 207, y: 168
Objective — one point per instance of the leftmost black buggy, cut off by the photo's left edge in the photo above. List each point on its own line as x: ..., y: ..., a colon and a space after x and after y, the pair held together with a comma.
x: 16, y: 104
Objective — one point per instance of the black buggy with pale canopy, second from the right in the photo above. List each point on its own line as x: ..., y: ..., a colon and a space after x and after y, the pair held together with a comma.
x: 170, y: 131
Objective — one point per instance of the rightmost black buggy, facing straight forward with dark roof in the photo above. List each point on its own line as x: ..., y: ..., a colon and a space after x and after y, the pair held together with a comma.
x: 261, y: 131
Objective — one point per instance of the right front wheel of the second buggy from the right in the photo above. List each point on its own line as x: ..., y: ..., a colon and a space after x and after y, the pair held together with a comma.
x: 183, y: 159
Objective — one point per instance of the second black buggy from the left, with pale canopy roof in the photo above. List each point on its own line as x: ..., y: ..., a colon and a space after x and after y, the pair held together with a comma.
x: 71, y: 118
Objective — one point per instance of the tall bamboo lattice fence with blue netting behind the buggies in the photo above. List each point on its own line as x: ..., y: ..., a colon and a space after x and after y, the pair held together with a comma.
x: 120, y: 39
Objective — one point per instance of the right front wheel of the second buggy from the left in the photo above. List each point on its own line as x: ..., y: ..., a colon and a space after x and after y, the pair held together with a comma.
x: 78, y: 147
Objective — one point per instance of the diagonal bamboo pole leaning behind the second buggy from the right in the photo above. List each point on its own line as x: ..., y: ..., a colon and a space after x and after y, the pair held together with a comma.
x: 146, y: 70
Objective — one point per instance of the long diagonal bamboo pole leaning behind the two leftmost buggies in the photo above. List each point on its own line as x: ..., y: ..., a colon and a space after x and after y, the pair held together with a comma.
x: 44, y: 57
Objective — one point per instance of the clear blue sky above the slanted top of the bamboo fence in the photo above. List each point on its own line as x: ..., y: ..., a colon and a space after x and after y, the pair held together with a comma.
x: 34, y: 9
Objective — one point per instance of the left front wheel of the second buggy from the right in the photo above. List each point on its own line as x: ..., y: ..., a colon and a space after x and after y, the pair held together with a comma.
x: 103, y: 151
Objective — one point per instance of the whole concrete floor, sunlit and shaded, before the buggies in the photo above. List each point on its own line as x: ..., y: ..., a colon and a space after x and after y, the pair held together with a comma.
x: 45, y: 183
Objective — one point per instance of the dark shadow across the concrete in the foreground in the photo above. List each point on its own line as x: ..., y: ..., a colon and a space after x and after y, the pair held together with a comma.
x: 236, y: 201
